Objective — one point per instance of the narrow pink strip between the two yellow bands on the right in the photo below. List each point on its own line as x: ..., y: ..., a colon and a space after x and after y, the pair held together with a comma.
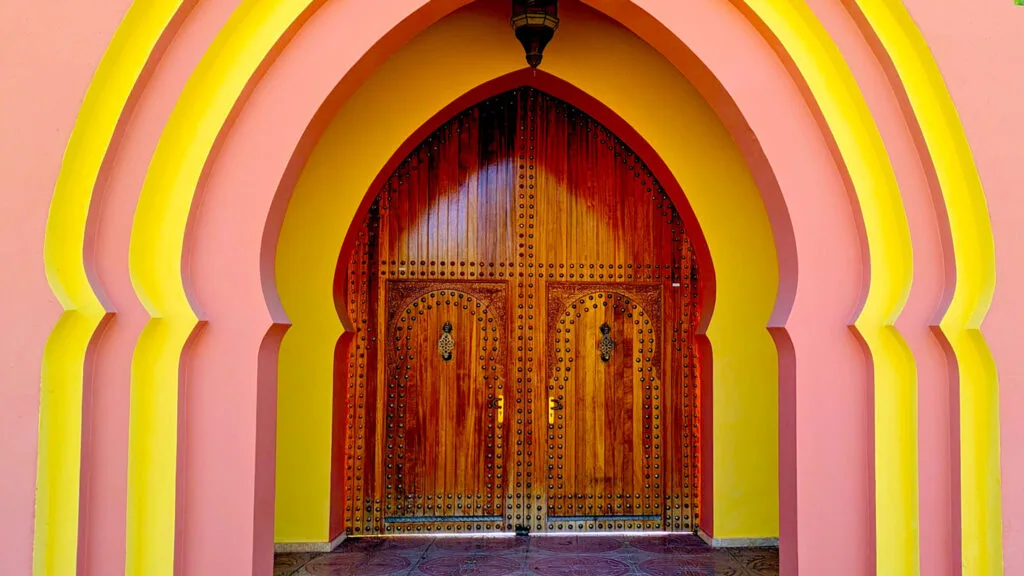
x: 940, y: 529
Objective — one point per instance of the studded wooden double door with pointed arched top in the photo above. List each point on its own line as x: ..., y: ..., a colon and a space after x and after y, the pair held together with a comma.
x: 524, y: 299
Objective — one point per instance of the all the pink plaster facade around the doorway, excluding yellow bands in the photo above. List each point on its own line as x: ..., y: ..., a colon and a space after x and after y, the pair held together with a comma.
x: 50, y: 52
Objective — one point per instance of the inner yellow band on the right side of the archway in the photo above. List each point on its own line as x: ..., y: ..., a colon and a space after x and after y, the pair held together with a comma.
x: 861, y: 146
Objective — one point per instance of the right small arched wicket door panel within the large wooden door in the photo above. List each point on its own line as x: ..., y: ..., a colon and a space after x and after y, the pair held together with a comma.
x: 605, y: 402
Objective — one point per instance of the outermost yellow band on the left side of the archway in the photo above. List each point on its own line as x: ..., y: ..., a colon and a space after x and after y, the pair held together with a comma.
x: 56, y: 547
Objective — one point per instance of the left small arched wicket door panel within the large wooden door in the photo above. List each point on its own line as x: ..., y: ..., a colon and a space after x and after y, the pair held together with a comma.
x: 446, y: 374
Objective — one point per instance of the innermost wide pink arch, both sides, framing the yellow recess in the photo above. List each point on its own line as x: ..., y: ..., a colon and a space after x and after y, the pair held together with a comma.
x: 246, y: 192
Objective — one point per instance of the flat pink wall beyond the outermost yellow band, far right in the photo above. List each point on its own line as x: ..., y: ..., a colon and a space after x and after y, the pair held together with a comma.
x: 978, y: 50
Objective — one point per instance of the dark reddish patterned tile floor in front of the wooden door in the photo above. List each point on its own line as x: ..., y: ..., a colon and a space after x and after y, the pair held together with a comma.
x: 537, y: 556
